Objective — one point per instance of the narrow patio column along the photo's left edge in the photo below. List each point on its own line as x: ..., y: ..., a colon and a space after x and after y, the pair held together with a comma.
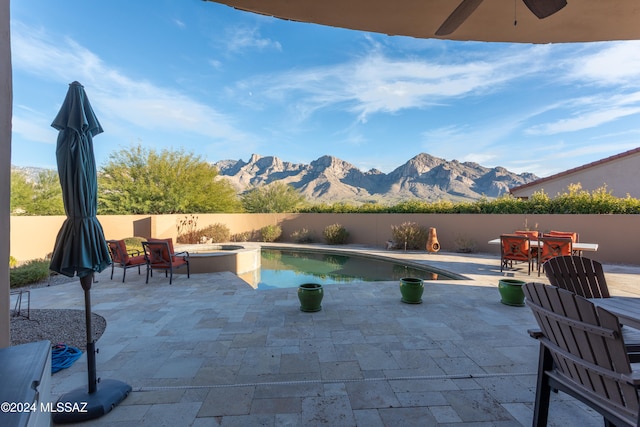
x: 6, y: 101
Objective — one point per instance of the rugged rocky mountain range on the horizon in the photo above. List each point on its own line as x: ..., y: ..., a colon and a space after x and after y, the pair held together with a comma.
x: 329, y: 179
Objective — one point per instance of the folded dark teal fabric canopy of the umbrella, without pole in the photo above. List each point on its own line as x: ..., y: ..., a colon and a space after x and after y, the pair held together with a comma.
x: 80, y: 248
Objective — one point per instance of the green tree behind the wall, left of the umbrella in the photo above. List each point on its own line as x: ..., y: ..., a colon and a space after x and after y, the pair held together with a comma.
x: 40, y: 197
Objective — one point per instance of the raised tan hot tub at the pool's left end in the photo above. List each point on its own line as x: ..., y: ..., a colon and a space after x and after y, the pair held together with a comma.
x: 241, y: 259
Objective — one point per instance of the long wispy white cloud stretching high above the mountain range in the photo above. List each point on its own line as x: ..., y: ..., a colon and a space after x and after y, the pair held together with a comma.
x: 377, y: 83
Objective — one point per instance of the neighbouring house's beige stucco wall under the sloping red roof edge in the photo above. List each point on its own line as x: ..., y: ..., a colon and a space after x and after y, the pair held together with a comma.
x: 619, y: 175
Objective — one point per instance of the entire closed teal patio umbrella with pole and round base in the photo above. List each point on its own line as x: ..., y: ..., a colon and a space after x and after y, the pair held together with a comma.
x: 80, y: 248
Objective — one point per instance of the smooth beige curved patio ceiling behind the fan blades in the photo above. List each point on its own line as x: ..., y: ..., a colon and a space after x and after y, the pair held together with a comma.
x: 492, y: 21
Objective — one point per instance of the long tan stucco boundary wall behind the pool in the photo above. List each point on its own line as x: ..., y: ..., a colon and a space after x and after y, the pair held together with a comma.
x: 618, y: 236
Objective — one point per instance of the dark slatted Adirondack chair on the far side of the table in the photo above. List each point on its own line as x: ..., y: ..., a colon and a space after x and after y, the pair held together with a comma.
x: 585, y: 277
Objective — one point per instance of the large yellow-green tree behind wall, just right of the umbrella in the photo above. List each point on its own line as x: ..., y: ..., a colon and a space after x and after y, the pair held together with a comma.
x: 143, y: 181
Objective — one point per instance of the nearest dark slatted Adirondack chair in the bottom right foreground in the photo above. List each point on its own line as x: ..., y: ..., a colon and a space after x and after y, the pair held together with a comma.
x: 582, y: 353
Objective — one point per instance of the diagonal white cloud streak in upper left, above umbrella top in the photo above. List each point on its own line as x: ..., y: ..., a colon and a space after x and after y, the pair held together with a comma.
x: 113, y: 94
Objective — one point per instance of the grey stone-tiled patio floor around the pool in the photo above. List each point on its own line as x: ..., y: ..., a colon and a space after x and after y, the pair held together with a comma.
x: 210, y: 351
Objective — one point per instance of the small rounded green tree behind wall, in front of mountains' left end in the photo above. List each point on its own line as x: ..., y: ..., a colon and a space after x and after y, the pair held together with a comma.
x: 272, y: 198
